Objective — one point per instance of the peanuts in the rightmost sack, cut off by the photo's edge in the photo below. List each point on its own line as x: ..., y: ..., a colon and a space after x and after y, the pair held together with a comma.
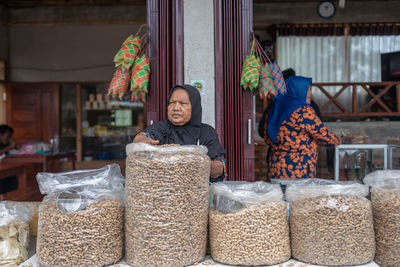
x: 386, y: 207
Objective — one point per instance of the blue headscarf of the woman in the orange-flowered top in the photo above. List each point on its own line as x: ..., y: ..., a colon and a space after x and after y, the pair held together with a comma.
x: 284, y: 105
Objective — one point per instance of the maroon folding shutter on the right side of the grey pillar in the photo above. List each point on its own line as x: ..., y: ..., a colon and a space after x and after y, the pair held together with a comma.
x: 234, y: 106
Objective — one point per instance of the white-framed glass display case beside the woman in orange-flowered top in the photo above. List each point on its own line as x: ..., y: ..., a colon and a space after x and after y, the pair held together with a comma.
x: 354, y: 161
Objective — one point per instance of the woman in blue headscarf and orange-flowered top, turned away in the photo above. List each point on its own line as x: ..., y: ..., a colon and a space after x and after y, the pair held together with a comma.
x: 293, y: 130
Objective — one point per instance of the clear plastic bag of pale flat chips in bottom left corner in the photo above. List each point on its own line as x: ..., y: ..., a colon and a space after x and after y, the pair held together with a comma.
x: 14, y: 233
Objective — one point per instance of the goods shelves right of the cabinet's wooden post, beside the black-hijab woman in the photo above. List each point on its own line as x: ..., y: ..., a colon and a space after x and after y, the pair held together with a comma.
x: 106, y: 125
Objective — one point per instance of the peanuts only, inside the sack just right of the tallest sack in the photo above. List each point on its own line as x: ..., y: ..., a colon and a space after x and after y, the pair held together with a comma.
x: 251, y: 236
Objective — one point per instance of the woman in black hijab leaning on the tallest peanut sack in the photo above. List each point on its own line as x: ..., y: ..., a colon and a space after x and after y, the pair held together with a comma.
x: 184, y: 127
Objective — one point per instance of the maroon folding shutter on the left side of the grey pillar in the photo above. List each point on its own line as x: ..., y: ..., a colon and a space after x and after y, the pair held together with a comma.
x: 165, y: 51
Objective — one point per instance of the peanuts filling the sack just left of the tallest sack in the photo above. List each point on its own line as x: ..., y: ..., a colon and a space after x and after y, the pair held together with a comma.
x: 92, y: 236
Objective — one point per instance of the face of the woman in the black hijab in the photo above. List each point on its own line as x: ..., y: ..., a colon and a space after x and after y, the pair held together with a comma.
x: 179, y: 108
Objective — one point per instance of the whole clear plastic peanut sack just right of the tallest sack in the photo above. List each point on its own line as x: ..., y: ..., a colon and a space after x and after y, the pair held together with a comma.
x: 248, y: 224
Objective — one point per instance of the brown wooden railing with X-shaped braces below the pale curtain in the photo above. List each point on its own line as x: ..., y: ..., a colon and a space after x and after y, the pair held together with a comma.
x: 375, y: 106
